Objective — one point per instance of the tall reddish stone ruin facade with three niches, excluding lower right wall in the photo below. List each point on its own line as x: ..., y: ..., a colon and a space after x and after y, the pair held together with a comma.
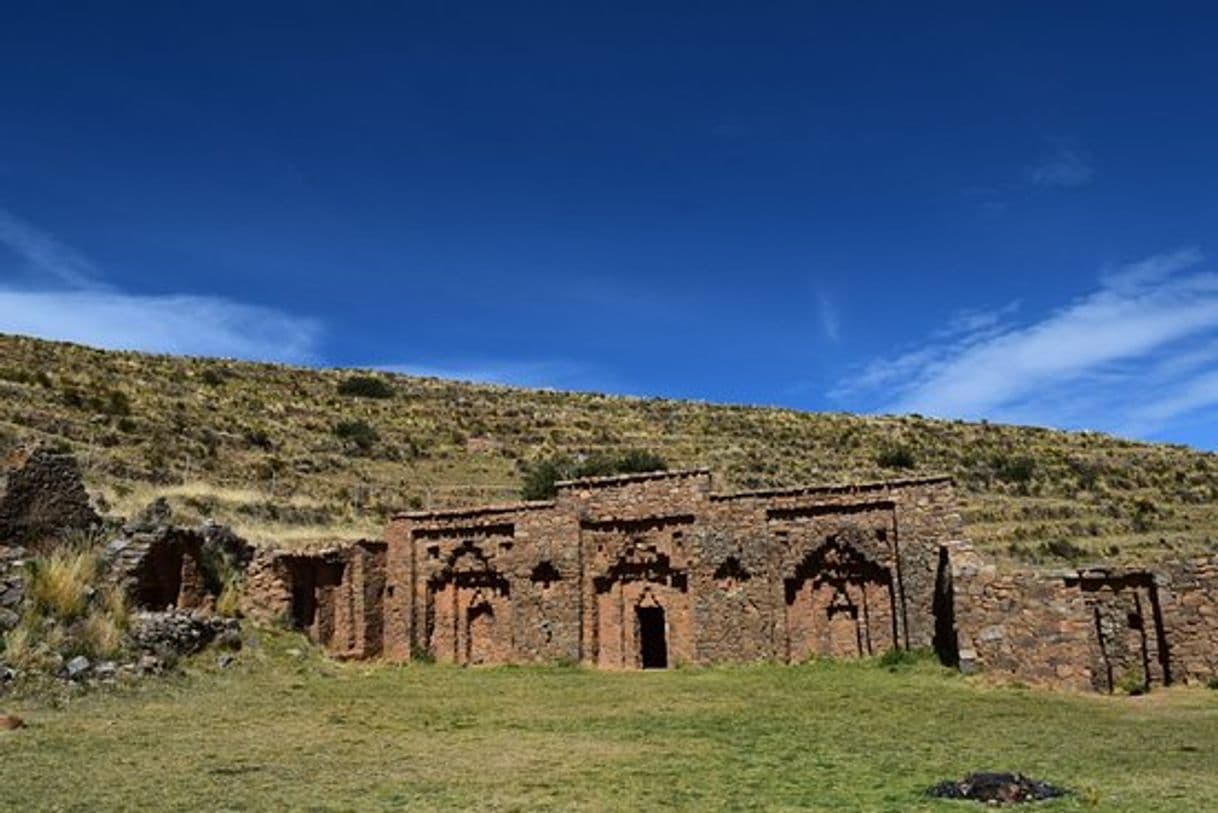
x: 630, y: 572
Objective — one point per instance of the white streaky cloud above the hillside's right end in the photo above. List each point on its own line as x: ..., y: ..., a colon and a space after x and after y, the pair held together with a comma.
x: 1131, y: 357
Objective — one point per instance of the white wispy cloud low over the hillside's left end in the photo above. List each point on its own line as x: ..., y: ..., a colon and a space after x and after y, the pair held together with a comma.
x: 52, y: 292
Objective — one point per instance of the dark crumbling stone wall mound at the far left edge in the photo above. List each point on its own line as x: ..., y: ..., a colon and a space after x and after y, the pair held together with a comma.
x: 42, y: 499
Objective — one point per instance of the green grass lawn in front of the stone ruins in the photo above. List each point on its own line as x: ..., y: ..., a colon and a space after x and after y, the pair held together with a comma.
x: 278, y: 732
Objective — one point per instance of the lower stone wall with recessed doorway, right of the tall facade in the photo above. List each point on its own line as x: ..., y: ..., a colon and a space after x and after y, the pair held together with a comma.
x: 1094, y: 630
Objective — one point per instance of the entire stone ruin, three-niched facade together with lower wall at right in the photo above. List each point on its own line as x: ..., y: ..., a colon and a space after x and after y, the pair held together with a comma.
x: 658, y: 570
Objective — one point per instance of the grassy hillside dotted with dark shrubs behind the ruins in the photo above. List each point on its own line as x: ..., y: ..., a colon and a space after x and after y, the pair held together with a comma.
x: 286, y: 455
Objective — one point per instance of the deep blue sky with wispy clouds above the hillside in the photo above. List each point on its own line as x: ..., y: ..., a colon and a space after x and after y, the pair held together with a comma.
x: 1001, y: 211
